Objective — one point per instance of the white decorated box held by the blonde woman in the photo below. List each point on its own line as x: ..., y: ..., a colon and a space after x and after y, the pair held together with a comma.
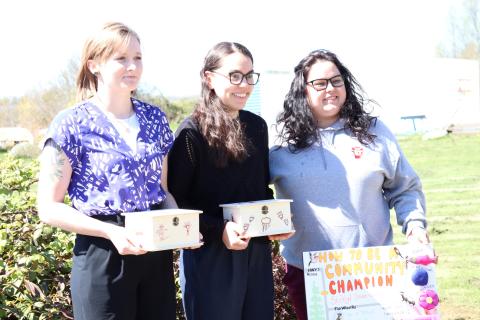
x: 164, y: 229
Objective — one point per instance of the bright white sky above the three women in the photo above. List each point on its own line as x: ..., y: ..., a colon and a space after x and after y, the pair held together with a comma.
x: 375, y: 38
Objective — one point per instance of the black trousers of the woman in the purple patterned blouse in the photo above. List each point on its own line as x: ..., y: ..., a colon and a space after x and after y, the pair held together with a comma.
x: 107, y: 285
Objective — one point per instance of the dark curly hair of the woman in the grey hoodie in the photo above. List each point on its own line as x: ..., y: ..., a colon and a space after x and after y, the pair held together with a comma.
x: 299, y: 129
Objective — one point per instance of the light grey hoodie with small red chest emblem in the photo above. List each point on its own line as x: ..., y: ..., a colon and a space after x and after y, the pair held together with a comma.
x: 343, y: 191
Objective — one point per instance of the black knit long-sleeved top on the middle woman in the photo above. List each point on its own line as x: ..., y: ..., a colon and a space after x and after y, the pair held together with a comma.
x: 197, y: 183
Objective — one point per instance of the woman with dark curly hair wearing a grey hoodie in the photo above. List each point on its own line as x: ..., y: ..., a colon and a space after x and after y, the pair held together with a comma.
x: 342, y: 167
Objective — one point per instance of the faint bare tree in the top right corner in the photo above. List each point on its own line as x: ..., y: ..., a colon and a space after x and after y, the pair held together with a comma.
x: 464, y: 28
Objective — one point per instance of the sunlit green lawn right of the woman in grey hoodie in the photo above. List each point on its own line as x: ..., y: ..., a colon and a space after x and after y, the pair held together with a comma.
x: 450, y: 171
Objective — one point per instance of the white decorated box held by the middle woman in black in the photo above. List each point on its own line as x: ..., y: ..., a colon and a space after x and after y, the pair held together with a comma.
x: 260, y: 218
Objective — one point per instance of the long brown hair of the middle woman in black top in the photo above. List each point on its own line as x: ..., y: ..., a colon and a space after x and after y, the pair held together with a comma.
x: 224, y: 135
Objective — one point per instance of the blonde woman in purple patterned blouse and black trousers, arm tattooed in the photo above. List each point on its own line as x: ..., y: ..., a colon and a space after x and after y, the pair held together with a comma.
x: 108, y: 152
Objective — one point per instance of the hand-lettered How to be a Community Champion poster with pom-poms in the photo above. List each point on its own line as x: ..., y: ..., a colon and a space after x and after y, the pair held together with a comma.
x: 388, y: 282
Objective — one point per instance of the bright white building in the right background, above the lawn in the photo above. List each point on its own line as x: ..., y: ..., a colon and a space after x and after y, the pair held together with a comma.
x: 428, y: 95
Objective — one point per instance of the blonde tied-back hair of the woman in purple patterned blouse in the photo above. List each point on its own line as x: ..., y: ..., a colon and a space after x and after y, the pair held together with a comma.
x: 100, y: 47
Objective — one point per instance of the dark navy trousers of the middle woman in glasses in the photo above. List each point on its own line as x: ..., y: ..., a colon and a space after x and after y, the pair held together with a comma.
x: 222, y: 284
